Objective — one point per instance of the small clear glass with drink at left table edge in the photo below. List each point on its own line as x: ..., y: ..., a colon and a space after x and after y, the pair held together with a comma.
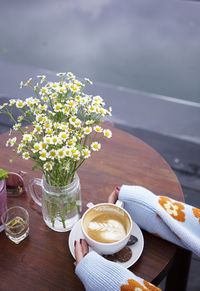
x: 16, y: 223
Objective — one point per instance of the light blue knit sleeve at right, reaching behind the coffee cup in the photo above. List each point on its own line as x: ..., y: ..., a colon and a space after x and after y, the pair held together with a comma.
x: 164, y: 217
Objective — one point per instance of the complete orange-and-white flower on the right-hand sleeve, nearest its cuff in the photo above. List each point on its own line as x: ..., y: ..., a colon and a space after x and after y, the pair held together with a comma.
x: 174, y: 209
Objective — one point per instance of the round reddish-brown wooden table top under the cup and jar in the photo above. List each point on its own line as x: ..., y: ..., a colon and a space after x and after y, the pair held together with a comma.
x: 43, y: 260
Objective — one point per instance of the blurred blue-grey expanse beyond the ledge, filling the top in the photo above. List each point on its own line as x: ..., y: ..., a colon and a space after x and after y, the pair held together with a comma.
x: 151, y: 46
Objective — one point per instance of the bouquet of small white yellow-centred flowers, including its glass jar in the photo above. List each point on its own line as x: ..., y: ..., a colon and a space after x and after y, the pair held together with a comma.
x: 65, y: 132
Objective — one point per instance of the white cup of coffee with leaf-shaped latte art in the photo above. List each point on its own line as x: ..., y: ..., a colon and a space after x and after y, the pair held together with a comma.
x: 106, y: 227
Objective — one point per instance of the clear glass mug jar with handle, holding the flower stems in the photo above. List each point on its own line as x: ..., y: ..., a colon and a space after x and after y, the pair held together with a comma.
x: 61, y: 206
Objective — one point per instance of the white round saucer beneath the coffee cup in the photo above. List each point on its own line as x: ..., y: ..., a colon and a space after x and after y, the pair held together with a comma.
x: 76, y: 234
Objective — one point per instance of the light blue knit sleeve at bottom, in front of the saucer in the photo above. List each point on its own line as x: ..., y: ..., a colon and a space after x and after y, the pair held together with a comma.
x: 99, y: 274
